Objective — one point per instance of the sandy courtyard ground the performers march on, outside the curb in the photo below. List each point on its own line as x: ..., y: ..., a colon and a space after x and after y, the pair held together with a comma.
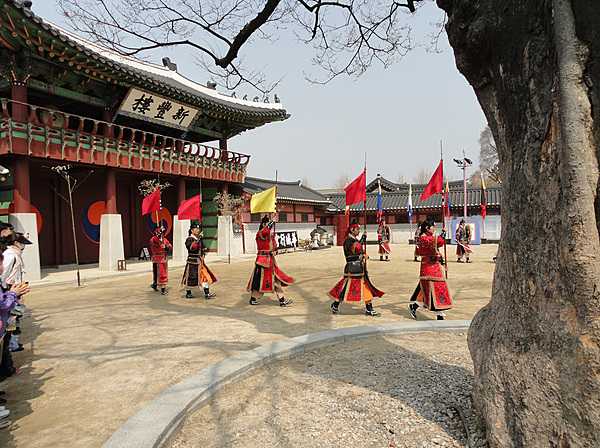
x: 95, y: 355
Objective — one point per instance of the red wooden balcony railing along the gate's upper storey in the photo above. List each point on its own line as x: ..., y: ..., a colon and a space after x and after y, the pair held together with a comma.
x: 41, y: 132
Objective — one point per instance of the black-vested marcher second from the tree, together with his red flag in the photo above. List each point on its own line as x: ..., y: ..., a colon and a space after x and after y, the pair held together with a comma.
x: 355, y: 285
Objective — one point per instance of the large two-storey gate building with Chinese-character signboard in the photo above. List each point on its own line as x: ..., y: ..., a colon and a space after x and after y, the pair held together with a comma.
x: 116, y: 120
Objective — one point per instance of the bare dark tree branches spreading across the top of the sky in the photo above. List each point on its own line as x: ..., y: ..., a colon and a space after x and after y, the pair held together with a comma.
x: 348, y: 35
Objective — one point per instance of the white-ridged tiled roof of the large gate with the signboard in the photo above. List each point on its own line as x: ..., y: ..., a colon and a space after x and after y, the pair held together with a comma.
x: 155, y: 76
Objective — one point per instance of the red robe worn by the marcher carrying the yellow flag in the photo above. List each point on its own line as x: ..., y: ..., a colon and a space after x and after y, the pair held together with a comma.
x: 266, y: 270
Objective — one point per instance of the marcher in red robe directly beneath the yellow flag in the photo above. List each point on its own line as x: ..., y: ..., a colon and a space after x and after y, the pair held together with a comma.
x: 267, y: 276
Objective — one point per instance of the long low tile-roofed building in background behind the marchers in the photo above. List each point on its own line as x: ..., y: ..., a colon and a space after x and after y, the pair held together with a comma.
x: 301, y: 209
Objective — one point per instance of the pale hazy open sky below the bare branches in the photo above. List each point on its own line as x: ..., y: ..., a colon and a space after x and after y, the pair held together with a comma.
x: 396, y: 115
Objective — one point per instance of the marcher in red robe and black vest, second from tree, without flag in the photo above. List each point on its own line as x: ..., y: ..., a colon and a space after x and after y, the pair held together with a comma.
x: 355, y: 285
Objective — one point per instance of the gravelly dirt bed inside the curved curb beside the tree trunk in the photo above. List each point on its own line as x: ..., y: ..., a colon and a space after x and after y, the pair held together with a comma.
x: 392, y: 391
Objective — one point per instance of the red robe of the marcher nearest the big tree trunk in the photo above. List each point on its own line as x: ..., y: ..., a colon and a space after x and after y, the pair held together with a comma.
x: 432, y: 290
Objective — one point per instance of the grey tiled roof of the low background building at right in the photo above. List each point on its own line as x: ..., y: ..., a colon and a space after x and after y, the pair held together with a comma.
x: 398, y: 200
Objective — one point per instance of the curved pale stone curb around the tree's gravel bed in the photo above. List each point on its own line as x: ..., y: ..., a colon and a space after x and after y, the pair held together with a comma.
x: 152, y: 426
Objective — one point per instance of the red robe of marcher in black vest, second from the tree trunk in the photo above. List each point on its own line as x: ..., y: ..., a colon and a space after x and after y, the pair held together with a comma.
x: 354, y: 287
